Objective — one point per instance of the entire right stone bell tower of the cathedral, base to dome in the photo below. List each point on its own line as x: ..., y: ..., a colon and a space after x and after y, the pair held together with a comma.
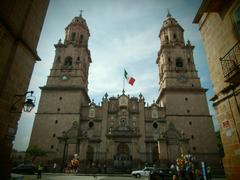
x: 187, y: 112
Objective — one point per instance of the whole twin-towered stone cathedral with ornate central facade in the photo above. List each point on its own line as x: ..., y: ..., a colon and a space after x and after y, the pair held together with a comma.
x: 123, y: 132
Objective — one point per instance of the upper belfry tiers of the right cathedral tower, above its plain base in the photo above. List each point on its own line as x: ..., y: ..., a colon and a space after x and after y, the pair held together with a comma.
x: 175, y: 58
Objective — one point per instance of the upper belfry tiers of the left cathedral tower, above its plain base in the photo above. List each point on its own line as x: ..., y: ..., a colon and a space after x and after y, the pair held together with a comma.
x: 72, y: 58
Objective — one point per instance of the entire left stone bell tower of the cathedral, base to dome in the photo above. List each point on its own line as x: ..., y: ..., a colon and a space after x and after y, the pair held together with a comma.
x: 66, y: 91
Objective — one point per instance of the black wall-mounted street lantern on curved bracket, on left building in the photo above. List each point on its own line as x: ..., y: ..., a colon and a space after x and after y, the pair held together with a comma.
x: 28, y: 104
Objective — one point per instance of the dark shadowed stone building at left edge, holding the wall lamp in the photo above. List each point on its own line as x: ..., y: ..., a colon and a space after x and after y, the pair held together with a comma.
x: 20, y: 27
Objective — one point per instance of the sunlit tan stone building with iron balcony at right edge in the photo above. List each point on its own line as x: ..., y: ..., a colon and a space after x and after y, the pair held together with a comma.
x: 219, y: 27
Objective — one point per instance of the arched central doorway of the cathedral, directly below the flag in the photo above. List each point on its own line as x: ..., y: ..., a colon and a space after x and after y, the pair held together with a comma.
x: 122, y: 159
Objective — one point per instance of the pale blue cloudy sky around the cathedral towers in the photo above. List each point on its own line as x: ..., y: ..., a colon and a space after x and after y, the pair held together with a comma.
x: 123, y: 34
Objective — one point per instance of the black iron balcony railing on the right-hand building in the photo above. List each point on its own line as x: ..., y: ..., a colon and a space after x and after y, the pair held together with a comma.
x: 231, y: 63
